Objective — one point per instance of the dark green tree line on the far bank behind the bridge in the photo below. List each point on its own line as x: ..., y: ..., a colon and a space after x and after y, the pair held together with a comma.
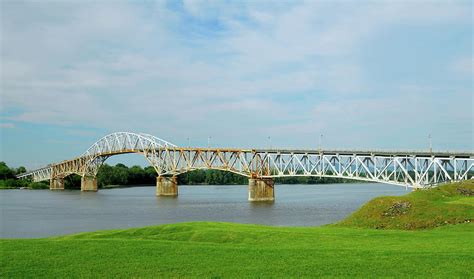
x: 123, y: 175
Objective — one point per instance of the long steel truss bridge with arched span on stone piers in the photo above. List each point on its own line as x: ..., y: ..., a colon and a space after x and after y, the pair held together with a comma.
x: 405, y: 168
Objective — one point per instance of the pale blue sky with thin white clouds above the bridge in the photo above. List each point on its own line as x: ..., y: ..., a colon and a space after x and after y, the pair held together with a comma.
x: 364, y: 74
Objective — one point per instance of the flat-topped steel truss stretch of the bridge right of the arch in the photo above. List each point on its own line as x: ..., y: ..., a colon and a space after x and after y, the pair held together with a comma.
x: 405, y: 170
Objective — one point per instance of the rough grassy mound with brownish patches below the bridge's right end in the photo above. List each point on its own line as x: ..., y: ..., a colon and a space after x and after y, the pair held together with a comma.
x: 435, y: 207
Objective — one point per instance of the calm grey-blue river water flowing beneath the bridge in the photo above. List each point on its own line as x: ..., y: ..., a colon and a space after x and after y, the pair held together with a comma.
x: 41, y: 213
